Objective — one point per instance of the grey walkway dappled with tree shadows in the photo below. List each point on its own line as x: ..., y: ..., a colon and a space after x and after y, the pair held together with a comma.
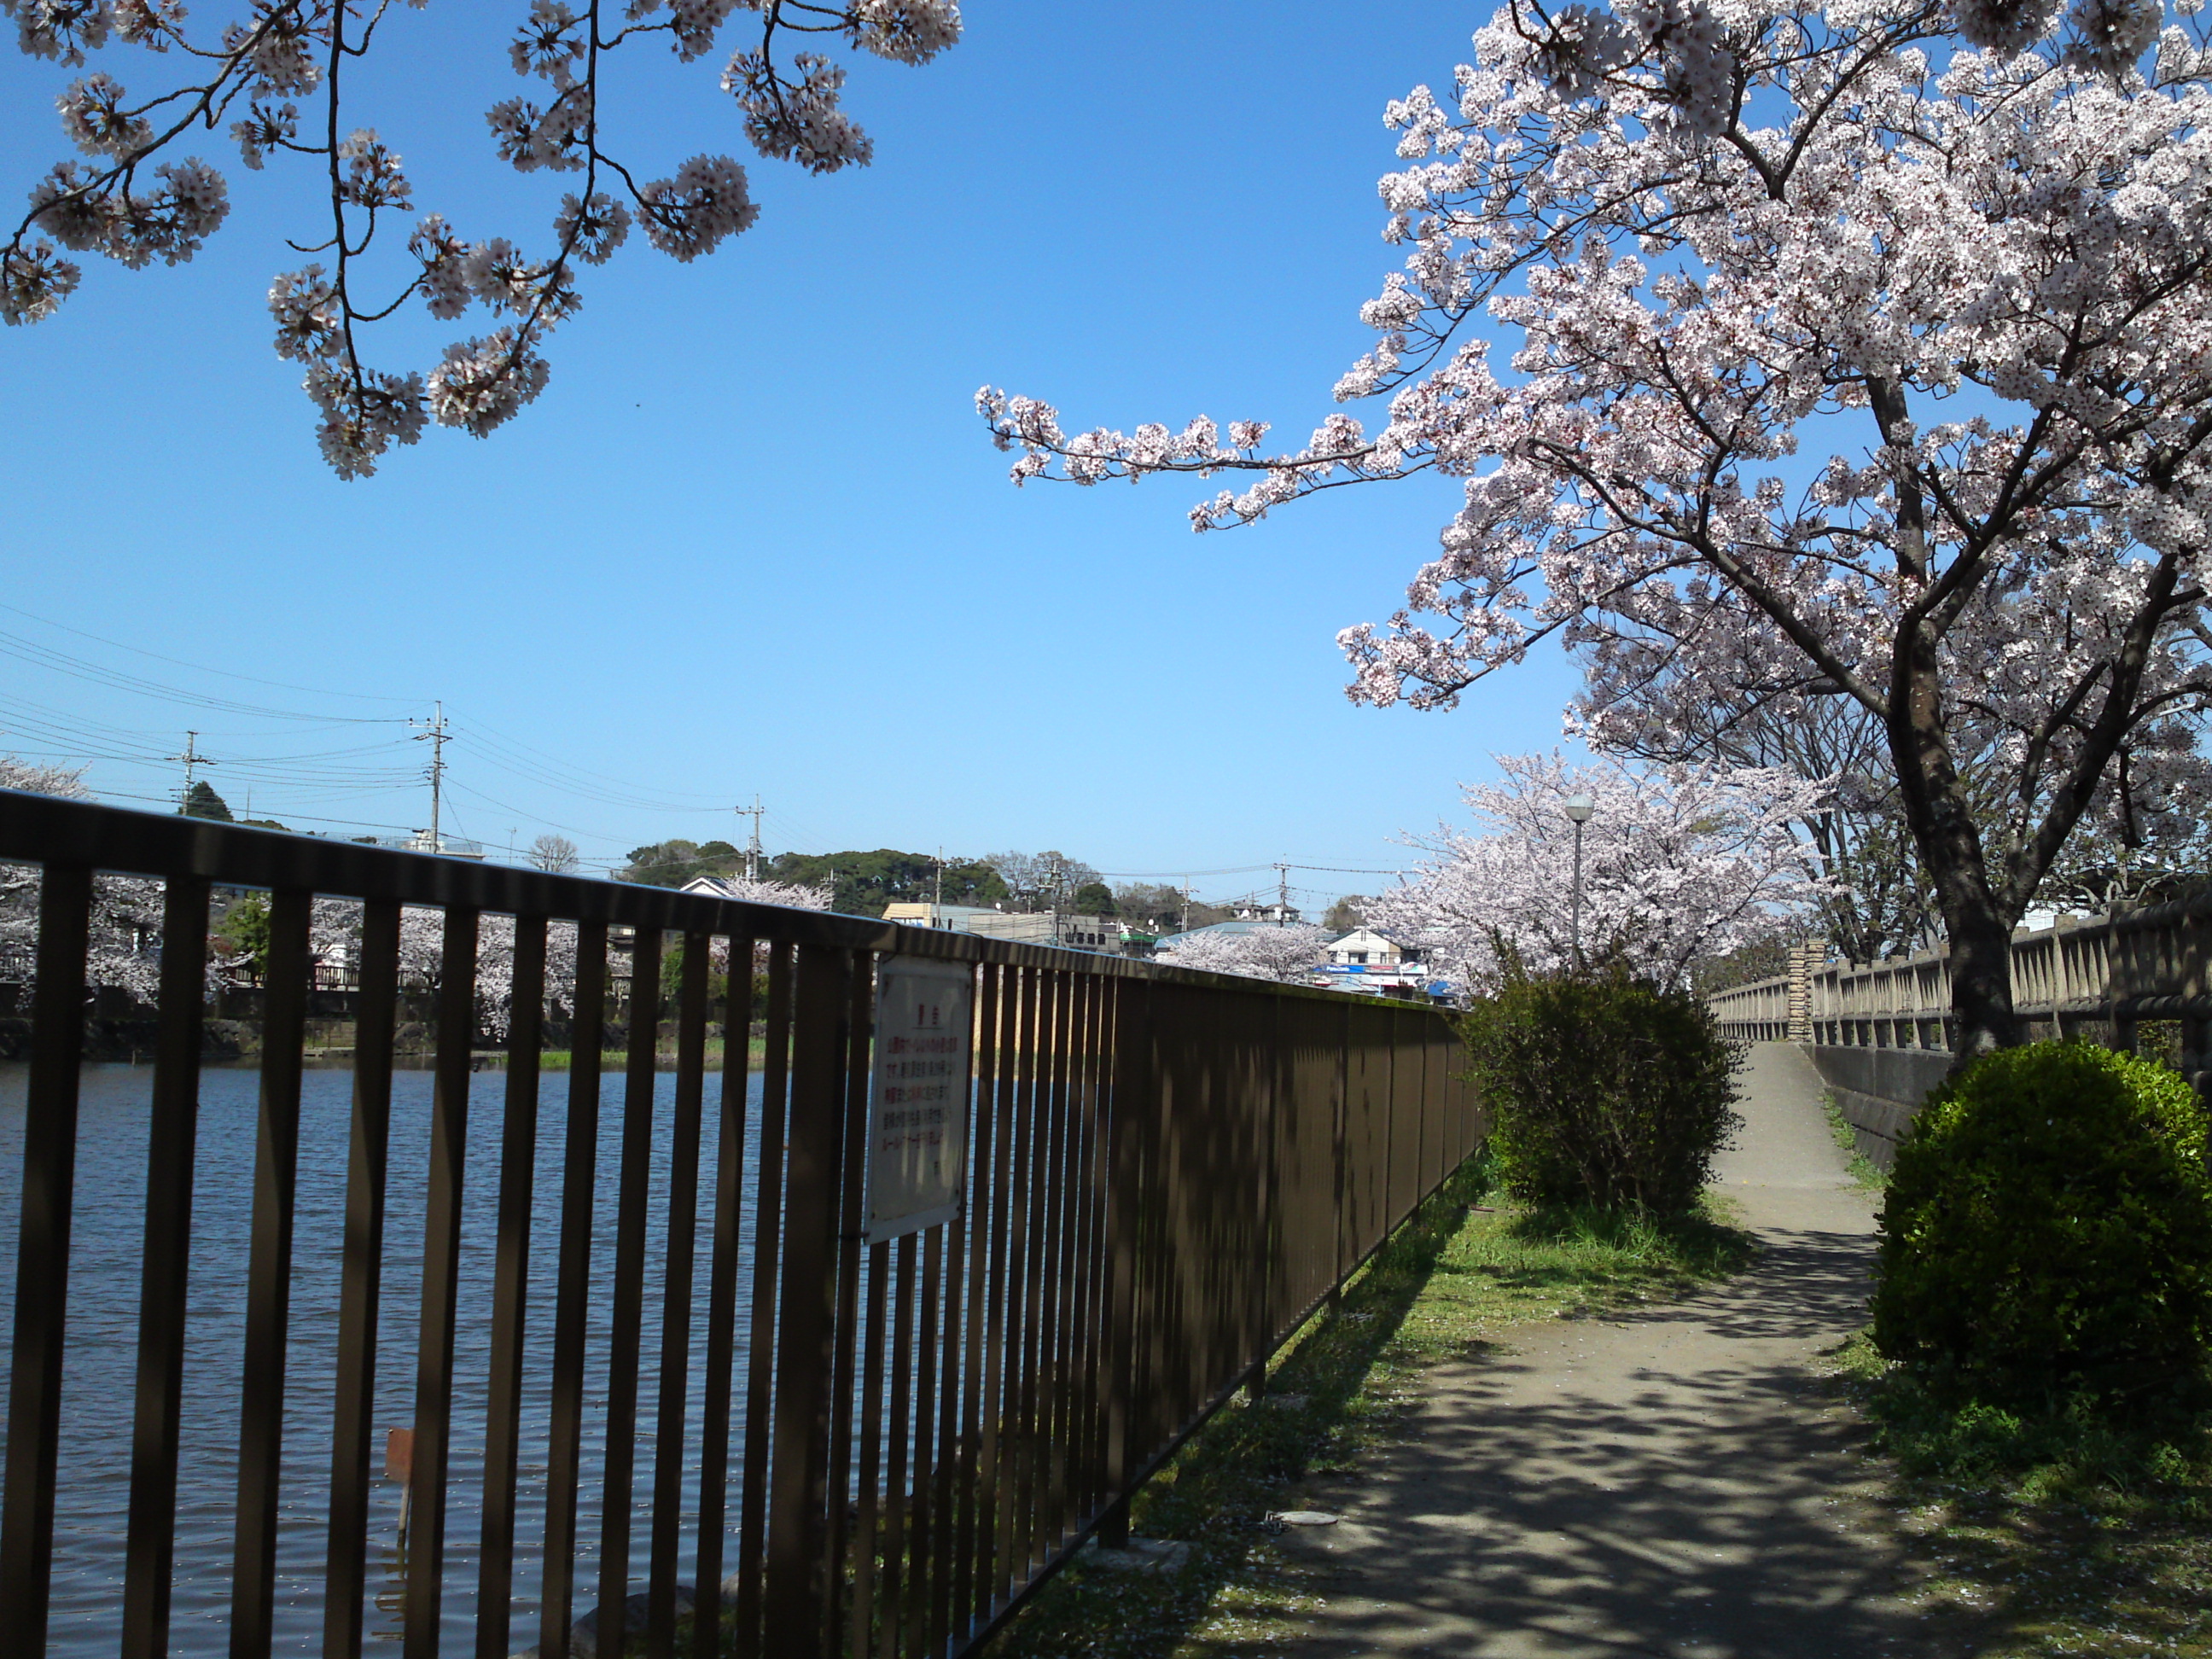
x: 1669, y: 1483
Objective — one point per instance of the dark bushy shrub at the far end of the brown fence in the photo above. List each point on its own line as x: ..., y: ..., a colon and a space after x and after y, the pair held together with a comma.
x: 1603, y: 1089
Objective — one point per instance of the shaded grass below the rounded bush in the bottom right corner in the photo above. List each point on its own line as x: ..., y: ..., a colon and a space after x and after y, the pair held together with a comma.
x: 2065, y: 1532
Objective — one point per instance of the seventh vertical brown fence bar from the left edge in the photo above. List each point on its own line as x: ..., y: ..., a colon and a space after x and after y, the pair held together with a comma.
x: 572, y: 1286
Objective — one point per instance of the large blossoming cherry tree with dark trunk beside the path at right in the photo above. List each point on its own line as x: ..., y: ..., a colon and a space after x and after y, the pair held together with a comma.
x: 1877, y: 359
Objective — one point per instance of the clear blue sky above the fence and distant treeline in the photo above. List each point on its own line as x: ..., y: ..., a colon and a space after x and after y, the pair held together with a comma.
x: 753, y: 536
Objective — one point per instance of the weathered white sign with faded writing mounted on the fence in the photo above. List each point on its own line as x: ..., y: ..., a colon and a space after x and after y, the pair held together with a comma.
x: 917, y: 1151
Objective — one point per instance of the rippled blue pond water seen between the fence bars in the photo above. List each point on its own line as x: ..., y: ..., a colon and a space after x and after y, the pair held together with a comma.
x: 103, y: 1346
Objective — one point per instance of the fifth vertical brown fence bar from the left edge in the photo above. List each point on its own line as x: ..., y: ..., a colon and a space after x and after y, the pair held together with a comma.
x: 441, y: 1284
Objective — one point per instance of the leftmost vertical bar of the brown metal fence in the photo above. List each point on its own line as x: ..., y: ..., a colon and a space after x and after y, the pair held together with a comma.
x: 50, y: 1171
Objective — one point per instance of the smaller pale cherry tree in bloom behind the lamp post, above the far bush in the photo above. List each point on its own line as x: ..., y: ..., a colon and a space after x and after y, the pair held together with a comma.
x: 1678, y: 864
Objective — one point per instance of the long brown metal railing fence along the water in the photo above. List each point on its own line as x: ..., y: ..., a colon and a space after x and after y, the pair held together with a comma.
x: 866, y: 1448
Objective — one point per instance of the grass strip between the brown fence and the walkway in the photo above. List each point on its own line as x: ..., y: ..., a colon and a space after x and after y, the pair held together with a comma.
x: 1441, y: 1288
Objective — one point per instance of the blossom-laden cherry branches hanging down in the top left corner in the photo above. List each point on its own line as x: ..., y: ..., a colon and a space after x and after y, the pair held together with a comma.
x: 271, y: 79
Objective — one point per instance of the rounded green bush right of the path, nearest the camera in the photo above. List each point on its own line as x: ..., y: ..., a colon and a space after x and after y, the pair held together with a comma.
x: 2049, y: 1231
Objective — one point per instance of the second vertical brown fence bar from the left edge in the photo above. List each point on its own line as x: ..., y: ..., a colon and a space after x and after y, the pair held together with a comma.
x: 171, y: 1142
